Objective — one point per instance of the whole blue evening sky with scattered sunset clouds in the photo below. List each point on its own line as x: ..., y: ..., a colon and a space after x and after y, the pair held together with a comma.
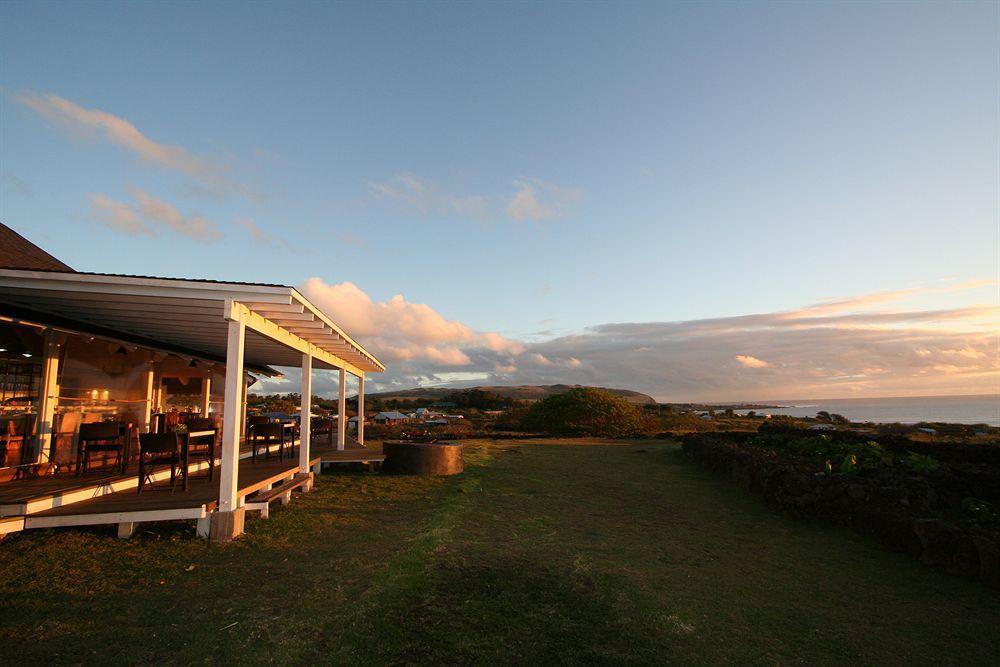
x: 705, y: 201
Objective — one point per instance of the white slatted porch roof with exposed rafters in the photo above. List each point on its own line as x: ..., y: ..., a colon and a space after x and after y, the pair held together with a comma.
x: 192, y: 314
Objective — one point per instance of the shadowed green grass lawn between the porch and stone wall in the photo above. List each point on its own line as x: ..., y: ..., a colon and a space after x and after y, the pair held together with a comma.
x: 559, y: 552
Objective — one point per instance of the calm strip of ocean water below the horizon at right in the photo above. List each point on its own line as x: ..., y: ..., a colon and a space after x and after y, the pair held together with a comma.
x: 952, y: 409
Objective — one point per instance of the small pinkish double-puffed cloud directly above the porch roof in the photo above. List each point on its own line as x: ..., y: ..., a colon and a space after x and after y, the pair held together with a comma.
x: 148, y: 216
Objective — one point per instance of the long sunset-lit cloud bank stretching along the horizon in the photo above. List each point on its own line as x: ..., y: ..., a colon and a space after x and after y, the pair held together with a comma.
x: 817, y: 351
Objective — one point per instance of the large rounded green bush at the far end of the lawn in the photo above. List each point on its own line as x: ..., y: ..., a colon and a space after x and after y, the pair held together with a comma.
x: 584, y: 411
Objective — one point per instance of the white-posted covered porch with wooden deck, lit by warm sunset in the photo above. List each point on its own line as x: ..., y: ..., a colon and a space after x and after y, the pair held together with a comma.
x: 216, y: 333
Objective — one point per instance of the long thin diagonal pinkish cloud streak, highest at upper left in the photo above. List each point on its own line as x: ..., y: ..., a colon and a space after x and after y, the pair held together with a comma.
x: 121, y: 132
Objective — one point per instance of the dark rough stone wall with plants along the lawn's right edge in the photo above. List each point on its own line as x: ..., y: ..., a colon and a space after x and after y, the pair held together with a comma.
x: 908, y: 513
